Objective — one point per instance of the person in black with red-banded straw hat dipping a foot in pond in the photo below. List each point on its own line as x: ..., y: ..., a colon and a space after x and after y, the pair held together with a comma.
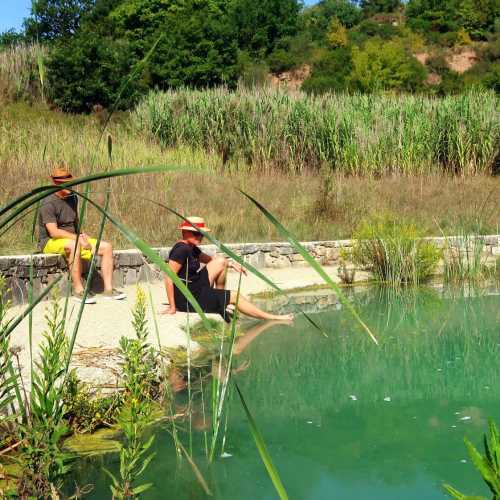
x: 206, y: 283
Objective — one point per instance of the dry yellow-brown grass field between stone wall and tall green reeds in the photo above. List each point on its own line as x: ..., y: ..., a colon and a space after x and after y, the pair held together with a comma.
x: 31, y: 139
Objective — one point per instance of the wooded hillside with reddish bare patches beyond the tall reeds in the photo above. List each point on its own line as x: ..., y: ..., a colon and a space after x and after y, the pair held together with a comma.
x: 90, y: 47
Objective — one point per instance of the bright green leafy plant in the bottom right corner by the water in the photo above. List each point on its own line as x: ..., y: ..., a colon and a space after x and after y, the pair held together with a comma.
x: 488, y: 465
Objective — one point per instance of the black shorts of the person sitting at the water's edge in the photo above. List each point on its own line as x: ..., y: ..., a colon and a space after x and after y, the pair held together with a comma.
x: 211, y: 300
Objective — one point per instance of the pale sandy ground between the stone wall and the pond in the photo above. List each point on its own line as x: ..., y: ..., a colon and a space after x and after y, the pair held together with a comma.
x: 103, y: 323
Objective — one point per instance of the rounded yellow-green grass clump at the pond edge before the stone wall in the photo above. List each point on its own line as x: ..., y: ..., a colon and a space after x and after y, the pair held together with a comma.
x: 394, y: 251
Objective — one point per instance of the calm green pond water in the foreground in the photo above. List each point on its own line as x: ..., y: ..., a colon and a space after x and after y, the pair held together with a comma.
x: 343, y: 418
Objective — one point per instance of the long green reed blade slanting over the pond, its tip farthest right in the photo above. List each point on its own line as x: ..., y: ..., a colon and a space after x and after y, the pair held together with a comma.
x: 312, y: 262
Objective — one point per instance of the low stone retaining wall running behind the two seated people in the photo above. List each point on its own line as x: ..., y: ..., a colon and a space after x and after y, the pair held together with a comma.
x: 131, y: 267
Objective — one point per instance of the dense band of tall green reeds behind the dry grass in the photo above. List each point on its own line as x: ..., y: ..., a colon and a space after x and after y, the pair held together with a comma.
x: 353, y: 134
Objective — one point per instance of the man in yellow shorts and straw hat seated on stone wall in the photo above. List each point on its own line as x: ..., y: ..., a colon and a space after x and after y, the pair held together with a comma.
x: 58, y: 233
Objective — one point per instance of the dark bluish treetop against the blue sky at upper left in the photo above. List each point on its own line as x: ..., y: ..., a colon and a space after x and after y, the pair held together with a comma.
x: 53, y: 19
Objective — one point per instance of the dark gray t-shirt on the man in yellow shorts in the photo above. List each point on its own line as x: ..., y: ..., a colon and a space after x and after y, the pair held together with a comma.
x: 62, y: 211
